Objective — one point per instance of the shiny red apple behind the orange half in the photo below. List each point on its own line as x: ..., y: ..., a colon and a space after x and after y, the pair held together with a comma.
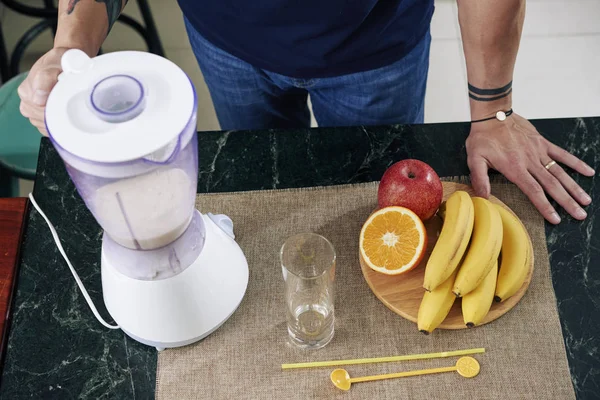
x: 412, y: 184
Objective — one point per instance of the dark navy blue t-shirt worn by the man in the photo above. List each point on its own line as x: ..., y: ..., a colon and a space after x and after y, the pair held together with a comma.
x: 312, y: 38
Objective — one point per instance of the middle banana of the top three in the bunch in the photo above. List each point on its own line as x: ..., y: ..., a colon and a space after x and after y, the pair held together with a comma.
x: 484, y: 248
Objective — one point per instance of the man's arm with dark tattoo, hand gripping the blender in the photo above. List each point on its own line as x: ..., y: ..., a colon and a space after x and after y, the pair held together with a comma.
x: 82, y: 24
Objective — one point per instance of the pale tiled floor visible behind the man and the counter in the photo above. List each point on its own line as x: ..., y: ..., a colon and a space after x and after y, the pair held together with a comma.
x: 557, y: 71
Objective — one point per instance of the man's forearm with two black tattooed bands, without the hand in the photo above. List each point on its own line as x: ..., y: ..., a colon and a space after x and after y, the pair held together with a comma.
x: 491, y: 32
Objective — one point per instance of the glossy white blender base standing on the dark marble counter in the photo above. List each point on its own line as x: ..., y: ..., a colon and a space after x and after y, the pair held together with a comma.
x: 184, y: 308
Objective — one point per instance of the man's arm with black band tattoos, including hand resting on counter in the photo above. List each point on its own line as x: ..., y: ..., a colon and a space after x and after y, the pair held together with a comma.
x: 491, y: 32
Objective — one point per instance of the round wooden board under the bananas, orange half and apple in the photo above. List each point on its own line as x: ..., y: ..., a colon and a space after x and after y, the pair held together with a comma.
x: 403, y: 293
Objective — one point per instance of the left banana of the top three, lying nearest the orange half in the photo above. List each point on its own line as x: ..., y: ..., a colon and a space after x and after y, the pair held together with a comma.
x: 458, y: 215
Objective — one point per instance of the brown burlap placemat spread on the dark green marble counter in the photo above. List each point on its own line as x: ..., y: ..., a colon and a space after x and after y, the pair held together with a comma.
x: 525, y: 355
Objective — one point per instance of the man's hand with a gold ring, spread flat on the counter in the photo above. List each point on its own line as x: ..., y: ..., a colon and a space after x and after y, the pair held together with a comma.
x: 516, y: 149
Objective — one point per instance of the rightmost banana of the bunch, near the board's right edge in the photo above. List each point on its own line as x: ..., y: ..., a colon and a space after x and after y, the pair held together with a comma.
x: 516, y: 256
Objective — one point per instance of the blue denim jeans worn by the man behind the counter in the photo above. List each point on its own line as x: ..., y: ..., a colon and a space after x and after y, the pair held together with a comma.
x: 246, y: 97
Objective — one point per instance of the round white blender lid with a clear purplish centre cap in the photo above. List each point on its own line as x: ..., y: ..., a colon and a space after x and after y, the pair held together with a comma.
x: 119, y: 106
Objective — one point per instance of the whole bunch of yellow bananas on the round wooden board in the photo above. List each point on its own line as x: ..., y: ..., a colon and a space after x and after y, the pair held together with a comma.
x: 464, y: 262
